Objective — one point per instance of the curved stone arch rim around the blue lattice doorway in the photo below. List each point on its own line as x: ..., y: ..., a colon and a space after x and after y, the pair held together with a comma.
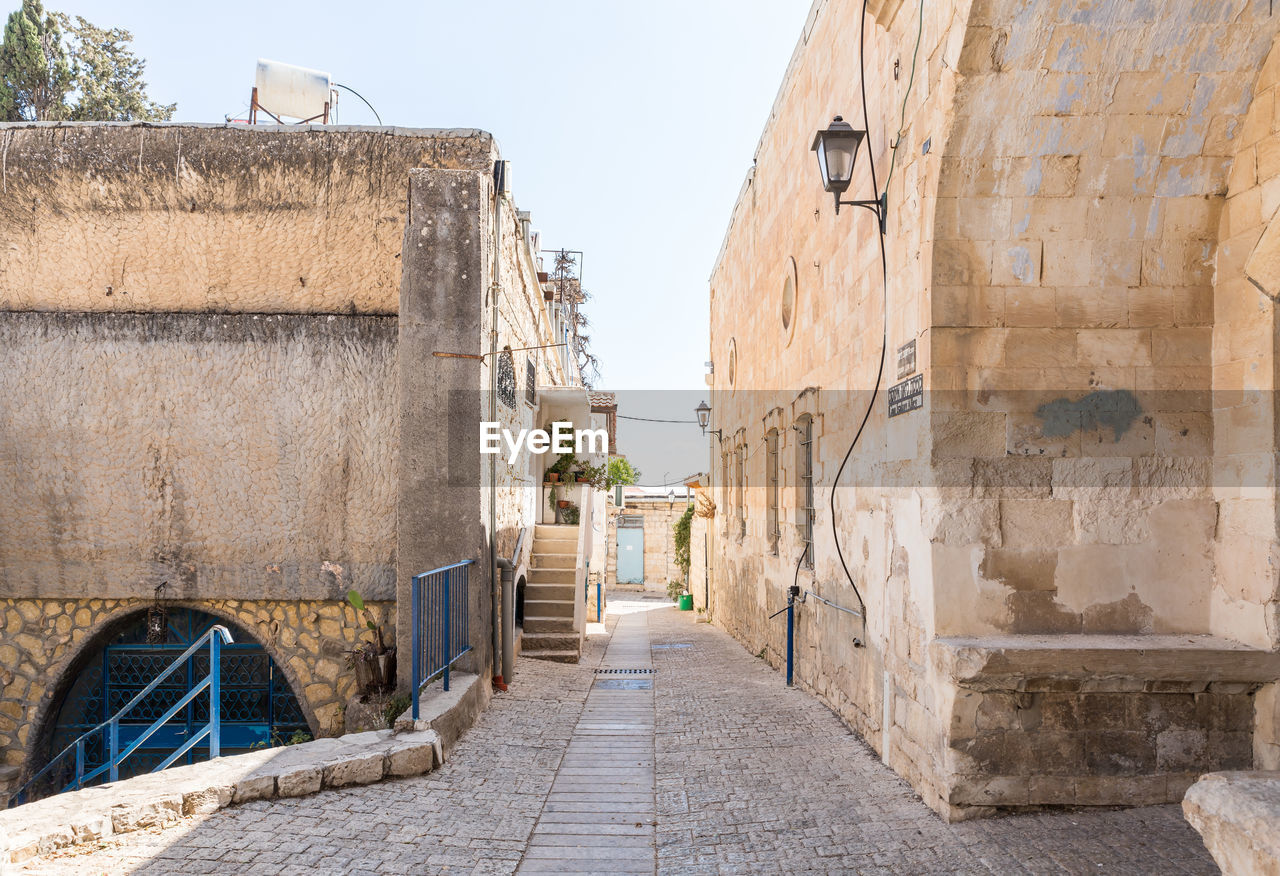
x: 66, y: 672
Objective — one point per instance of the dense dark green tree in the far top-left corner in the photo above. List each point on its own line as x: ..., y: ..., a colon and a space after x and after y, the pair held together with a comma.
x: 35, y: 75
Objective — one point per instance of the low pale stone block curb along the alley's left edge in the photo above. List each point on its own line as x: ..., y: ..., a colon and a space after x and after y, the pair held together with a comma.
x: 162, y: 799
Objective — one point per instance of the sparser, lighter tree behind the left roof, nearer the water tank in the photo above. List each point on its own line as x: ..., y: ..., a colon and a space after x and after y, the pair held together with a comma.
x: 108, y: 76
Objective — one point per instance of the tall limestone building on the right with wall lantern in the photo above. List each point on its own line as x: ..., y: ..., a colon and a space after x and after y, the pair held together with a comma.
x: 1060, y: 549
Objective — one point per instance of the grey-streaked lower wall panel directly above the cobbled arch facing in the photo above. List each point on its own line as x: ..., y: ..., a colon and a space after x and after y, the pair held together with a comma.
x: 235, y: 457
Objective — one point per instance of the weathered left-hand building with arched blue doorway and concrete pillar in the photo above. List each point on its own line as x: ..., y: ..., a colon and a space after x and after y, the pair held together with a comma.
x: 220, y: 373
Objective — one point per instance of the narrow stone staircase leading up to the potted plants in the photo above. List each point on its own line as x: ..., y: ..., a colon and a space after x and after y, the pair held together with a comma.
x: 550, y: 592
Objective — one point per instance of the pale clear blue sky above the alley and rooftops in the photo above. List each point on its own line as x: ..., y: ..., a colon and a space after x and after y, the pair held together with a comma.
x: 630, y: 126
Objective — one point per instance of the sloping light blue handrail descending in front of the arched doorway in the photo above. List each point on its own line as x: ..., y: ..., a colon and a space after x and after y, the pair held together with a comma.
x: 214, y: 641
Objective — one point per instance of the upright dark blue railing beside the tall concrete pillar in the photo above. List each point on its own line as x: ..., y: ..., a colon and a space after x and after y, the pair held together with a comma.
x: 442, y: 631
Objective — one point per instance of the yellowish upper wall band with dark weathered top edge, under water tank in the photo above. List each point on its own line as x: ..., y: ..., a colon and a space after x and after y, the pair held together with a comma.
x: 212, y: 218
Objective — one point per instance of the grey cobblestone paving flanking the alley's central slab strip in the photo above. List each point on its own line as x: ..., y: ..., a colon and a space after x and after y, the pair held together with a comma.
x: 751, y: 778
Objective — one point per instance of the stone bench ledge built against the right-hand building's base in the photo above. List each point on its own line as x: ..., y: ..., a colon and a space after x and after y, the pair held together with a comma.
x: 1091, y: 720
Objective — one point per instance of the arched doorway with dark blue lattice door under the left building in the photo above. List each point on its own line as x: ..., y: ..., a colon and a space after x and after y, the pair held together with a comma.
x: 258, y: 705
